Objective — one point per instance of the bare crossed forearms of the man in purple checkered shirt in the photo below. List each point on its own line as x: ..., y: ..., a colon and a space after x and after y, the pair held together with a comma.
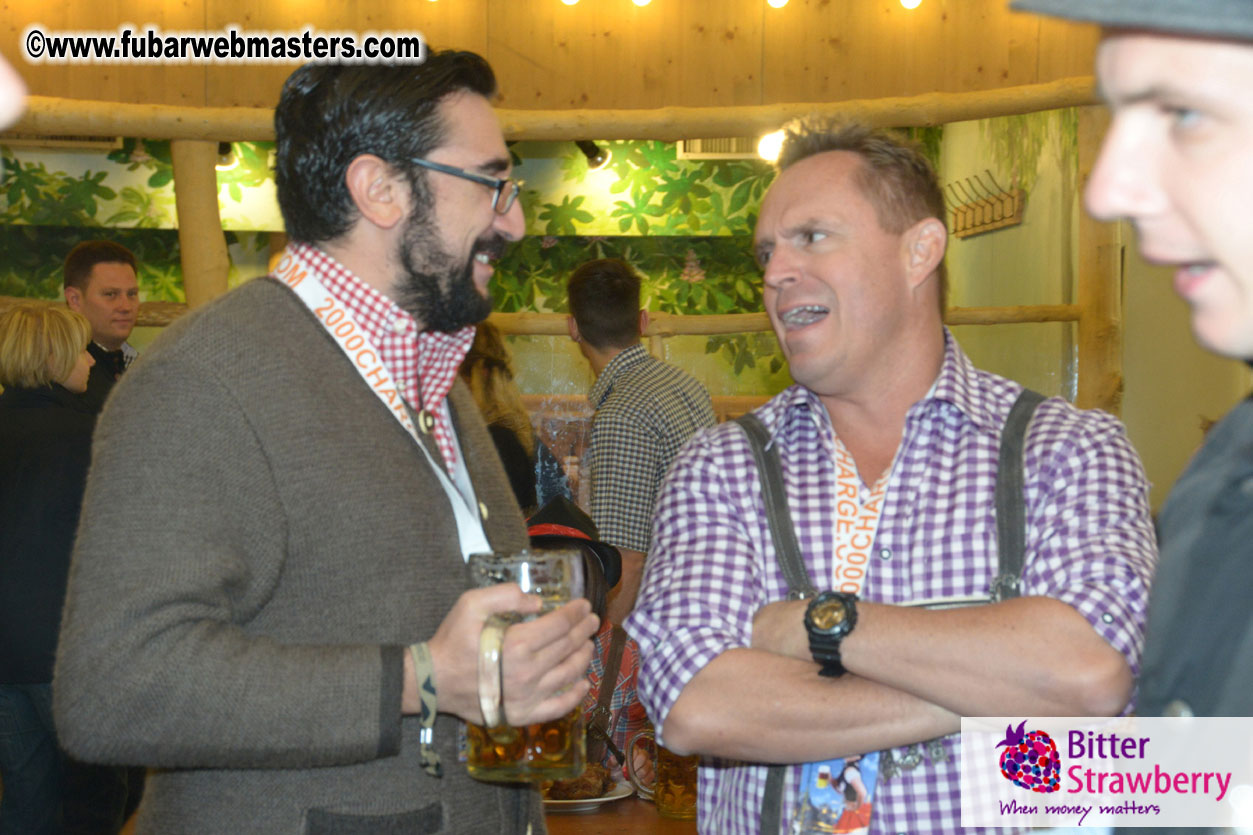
x: 913, y: 674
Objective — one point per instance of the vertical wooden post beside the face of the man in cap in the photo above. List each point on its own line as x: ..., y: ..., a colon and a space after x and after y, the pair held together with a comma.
x: 1101, y: 286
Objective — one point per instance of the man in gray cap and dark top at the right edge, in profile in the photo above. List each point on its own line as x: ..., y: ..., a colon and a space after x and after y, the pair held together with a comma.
x: 1178, y: 165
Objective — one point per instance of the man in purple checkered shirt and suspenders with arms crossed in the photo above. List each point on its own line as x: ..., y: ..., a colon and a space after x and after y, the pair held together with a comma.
x: 888, y: 448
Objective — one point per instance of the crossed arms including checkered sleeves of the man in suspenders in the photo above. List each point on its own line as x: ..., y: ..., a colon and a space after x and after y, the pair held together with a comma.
x: 729, y: 673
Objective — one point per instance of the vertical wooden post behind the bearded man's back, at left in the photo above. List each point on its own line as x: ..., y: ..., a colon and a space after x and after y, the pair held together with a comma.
x: 204, y: 248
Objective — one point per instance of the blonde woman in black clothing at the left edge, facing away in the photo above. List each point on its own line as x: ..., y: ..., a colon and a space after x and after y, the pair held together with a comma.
x: 46, y: 444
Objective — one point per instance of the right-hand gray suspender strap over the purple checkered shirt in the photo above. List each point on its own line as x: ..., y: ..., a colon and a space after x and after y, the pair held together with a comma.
x: 1011, y: 511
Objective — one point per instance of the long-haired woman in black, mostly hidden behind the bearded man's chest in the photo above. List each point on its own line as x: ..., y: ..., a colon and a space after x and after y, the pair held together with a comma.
x: 534, y: 473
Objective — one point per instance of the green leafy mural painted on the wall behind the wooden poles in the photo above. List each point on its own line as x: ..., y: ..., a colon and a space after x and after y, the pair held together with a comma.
x: 686, y: 225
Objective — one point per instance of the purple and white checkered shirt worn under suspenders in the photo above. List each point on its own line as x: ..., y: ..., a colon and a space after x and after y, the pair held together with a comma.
x: 1089, y: 544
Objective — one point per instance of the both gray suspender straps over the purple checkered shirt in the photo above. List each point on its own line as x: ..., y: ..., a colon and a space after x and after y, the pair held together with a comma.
x: 1011, y: 538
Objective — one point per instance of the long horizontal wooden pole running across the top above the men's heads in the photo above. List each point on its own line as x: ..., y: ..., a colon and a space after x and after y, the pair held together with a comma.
x: 71, y: 117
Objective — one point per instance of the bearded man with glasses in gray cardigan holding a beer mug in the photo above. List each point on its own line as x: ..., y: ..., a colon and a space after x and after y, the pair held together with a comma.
x: 269, y: 600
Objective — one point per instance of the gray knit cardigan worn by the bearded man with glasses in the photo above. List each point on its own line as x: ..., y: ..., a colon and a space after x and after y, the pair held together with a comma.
x: 260, y: 540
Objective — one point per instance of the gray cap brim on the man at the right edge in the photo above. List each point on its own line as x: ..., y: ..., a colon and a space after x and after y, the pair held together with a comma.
x: 1224, y: 19
